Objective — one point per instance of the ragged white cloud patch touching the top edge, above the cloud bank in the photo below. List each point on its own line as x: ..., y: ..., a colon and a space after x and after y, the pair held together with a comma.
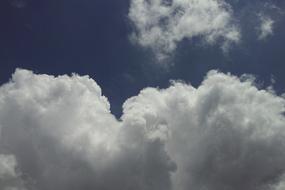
x: 161, y: 24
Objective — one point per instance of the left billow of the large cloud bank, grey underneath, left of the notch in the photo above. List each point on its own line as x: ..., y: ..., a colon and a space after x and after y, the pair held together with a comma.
x: 63, y: 136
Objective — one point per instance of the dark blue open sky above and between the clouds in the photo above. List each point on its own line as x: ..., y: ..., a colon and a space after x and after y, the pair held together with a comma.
x: 92, y: 37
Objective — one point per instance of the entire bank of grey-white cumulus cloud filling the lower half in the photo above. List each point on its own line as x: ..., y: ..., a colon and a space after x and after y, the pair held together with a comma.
x: 58, y: 133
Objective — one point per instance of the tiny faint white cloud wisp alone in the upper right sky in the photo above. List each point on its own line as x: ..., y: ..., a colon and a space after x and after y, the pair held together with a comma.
x: 266, y: 27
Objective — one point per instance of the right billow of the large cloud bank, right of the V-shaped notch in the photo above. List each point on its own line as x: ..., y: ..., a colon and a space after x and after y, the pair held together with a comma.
x: 226, y: 134
